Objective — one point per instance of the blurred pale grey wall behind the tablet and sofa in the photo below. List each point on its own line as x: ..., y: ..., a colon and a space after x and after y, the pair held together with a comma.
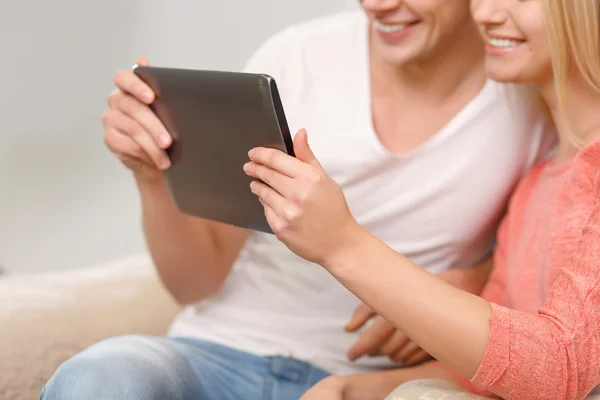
x: 64, y: 201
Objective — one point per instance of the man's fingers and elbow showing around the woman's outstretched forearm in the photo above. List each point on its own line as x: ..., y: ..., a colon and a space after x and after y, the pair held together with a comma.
x: 383, y: 339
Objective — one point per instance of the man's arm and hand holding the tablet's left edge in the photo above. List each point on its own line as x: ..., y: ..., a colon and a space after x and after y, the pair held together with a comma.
x: 193, y: 256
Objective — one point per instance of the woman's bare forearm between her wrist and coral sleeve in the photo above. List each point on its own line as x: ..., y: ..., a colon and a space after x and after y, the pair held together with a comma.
x: 448, y: 323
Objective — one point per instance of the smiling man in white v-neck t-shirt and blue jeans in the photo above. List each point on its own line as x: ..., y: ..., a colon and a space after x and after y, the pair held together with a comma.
x: 389, y: 95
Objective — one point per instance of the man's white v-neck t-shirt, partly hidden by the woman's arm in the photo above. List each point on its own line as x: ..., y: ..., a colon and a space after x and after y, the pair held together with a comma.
x: 439, y: 205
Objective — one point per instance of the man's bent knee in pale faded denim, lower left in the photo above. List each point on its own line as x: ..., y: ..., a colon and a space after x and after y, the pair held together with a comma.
x: 131, y: 367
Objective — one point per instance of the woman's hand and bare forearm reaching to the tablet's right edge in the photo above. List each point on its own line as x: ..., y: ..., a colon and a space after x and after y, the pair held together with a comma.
x: 302, y: 204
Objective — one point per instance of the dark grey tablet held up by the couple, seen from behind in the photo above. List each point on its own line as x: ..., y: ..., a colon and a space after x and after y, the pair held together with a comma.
x: 215, y: 118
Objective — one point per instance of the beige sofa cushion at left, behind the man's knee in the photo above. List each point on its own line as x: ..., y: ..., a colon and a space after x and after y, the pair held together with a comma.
x: 45, y: 319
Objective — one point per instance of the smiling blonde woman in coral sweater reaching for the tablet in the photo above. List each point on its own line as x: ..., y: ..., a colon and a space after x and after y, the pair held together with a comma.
x: 535, y: 331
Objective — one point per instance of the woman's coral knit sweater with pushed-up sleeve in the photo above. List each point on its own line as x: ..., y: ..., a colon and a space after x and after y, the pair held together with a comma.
x: 545, y: 288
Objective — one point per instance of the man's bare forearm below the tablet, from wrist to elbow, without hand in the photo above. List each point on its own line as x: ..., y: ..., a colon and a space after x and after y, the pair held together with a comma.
x: 188, y: 253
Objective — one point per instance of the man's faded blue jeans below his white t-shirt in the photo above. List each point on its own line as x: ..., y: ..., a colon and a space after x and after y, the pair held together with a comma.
x: 148, y: 368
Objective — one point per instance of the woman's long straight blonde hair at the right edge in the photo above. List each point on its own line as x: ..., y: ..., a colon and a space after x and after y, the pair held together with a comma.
x: 573, y: 28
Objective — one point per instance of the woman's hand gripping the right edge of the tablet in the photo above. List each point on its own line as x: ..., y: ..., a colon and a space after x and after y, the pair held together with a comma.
x: 304, y: 206
